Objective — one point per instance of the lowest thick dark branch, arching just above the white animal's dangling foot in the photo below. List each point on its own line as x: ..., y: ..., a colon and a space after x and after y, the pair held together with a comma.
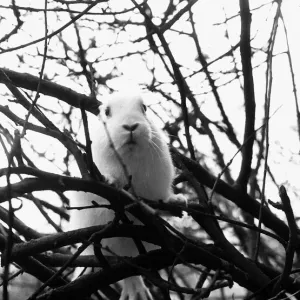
x: 157, y: 259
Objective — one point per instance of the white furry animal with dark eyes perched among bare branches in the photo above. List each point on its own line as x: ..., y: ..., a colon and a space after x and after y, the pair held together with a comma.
x: 142, y: 148
